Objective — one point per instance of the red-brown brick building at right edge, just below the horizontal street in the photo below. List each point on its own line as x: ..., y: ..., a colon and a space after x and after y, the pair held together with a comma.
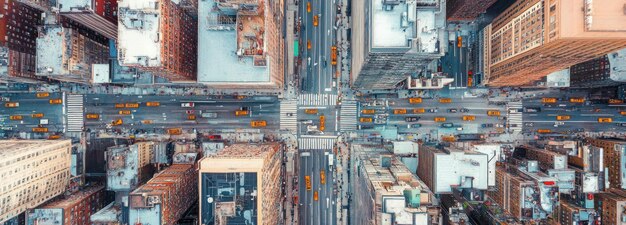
x: 614, y: 155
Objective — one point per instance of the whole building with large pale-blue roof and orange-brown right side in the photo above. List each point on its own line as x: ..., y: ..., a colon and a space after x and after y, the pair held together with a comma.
x: 241, y: 44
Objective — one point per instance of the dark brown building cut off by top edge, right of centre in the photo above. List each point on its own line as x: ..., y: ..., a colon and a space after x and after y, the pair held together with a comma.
x: 466, y: 9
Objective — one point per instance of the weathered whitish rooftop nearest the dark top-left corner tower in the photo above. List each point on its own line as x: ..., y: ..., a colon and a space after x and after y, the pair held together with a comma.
x: 52, y: 46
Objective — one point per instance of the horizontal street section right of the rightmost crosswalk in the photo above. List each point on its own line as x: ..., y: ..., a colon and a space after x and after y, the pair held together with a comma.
x: 584, y: 116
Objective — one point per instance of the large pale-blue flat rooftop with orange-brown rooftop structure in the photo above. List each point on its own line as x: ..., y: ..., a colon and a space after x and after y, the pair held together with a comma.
x: 231, y: 48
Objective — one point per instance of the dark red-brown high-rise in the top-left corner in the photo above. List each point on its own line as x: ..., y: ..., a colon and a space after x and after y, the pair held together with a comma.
x: 18, y: 33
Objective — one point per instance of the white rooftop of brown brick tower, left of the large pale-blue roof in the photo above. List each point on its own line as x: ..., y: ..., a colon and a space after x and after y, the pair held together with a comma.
x: 138, y: 33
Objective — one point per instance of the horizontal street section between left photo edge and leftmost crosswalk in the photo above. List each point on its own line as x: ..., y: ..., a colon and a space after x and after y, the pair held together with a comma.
x: 28, y: 105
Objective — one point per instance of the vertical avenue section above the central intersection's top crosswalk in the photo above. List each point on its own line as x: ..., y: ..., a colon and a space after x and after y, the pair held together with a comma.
x: 318, y: 71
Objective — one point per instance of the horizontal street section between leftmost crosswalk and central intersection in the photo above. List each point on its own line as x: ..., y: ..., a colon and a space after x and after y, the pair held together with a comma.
x: 170, y: 114
